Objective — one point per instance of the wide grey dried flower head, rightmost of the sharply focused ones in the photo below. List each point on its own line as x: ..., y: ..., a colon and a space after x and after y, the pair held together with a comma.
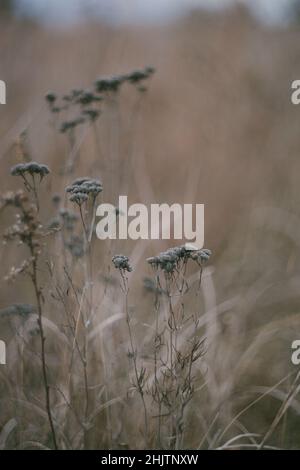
x: 169, y: 260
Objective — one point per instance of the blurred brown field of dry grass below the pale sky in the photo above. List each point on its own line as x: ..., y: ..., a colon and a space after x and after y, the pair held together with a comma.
x: 196, y: 355
